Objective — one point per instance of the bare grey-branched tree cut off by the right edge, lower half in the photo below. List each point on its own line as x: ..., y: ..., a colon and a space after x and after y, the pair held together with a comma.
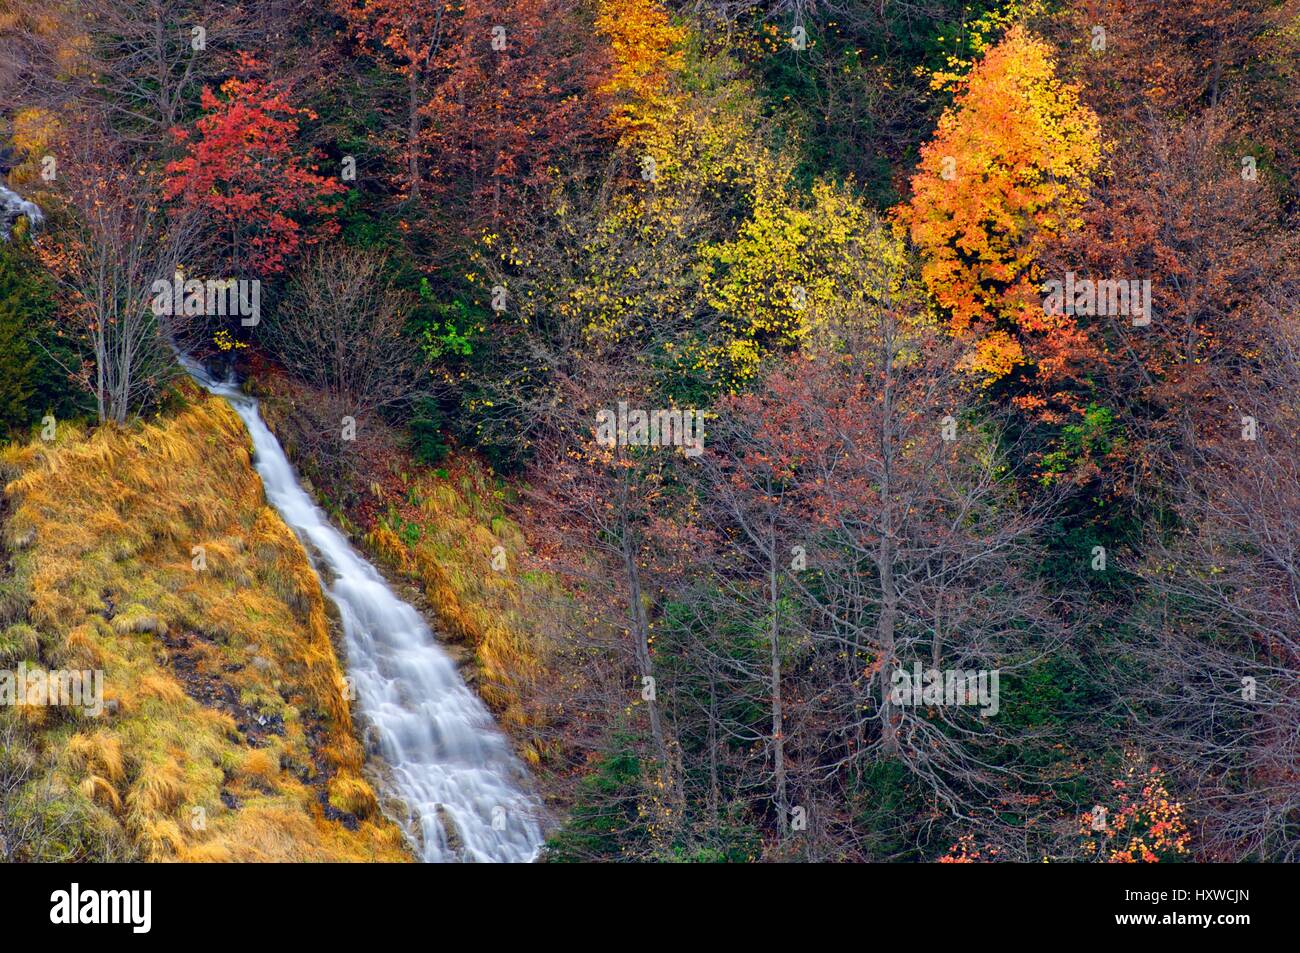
x: 1211, y: 678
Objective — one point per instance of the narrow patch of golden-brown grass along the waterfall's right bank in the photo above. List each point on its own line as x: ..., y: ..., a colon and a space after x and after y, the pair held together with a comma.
x: 440, y: 530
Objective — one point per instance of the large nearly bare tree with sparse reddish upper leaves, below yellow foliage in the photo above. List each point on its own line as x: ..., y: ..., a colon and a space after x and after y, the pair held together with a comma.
x: 889, y: 539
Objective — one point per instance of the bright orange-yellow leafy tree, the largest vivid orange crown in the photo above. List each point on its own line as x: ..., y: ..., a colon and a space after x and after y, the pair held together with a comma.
x: 1007, y: 174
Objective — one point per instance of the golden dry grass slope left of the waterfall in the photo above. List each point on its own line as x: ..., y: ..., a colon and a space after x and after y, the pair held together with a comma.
x: 105, y: 530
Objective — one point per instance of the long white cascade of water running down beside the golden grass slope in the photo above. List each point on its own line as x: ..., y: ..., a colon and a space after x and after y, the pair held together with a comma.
x: 447, y: 757
